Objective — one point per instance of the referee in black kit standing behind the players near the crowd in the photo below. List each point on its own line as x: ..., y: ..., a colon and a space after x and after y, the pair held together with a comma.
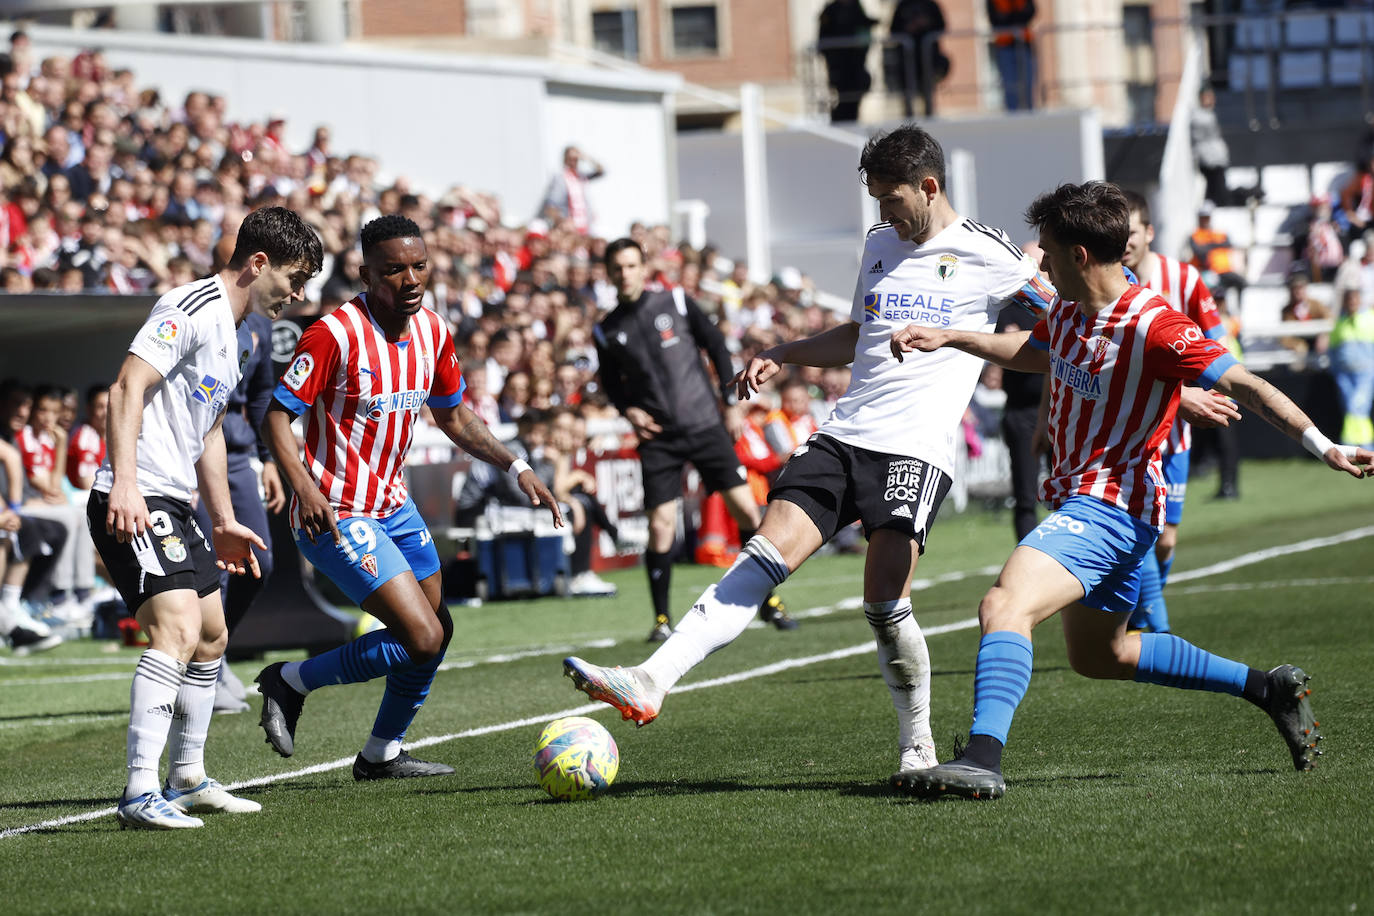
x: 651, y: 367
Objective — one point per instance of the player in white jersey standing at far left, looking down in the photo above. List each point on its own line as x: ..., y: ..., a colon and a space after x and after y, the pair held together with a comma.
x: 166, y: 443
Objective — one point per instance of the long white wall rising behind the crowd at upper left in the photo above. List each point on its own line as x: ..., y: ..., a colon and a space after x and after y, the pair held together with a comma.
x: 495, y: 124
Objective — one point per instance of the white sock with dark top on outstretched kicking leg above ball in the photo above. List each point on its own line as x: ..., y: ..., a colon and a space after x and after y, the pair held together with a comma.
x: 721, y: 615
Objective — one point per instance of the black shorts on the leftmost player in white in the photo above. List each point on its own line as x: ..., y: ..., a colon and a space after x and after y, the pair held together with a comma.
x: 171, y: 554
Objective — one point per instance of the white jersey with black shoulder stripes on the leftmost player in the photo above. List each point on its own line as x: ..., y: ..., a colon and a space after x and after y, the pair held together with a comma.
x: 190, y: 339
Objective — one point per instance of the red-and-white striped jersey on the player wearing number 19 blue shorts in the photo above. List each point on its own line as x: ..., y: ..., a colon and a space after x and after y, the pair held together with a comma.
x: 361, y: 395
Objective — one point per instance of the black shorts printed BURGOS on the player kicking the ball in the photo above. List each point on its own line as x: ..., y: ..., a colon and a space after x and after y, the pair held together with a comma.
x: 836, y: 484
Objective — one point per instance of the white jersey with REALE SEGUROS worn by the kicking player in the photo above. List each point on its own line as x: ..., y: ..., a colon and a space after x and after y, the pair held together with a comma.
x: 958, y: 279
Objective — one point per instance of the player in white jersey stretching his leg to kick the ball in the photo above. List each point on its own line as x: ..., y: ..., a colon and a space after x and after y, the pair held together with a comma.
x: 887, y: 454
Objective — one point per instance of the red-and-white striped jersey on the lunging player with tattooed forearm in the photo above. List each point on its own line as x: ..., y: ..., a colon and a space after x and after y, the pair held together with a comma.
x: 1114, y: 393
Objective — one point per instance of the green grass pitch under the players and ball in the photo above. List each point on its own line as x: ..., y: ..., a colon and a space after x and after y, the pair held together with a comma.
x: 767, y: 793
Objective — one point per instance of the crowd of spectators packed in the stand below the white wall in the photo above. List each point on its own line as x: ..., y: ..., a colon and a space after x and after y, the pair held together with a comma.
x: 108, y: 187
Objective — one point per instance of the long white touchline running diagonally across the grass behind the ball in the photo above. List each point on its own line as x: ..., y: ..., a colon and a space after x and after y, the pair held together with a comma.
x: 1246, y: 560
